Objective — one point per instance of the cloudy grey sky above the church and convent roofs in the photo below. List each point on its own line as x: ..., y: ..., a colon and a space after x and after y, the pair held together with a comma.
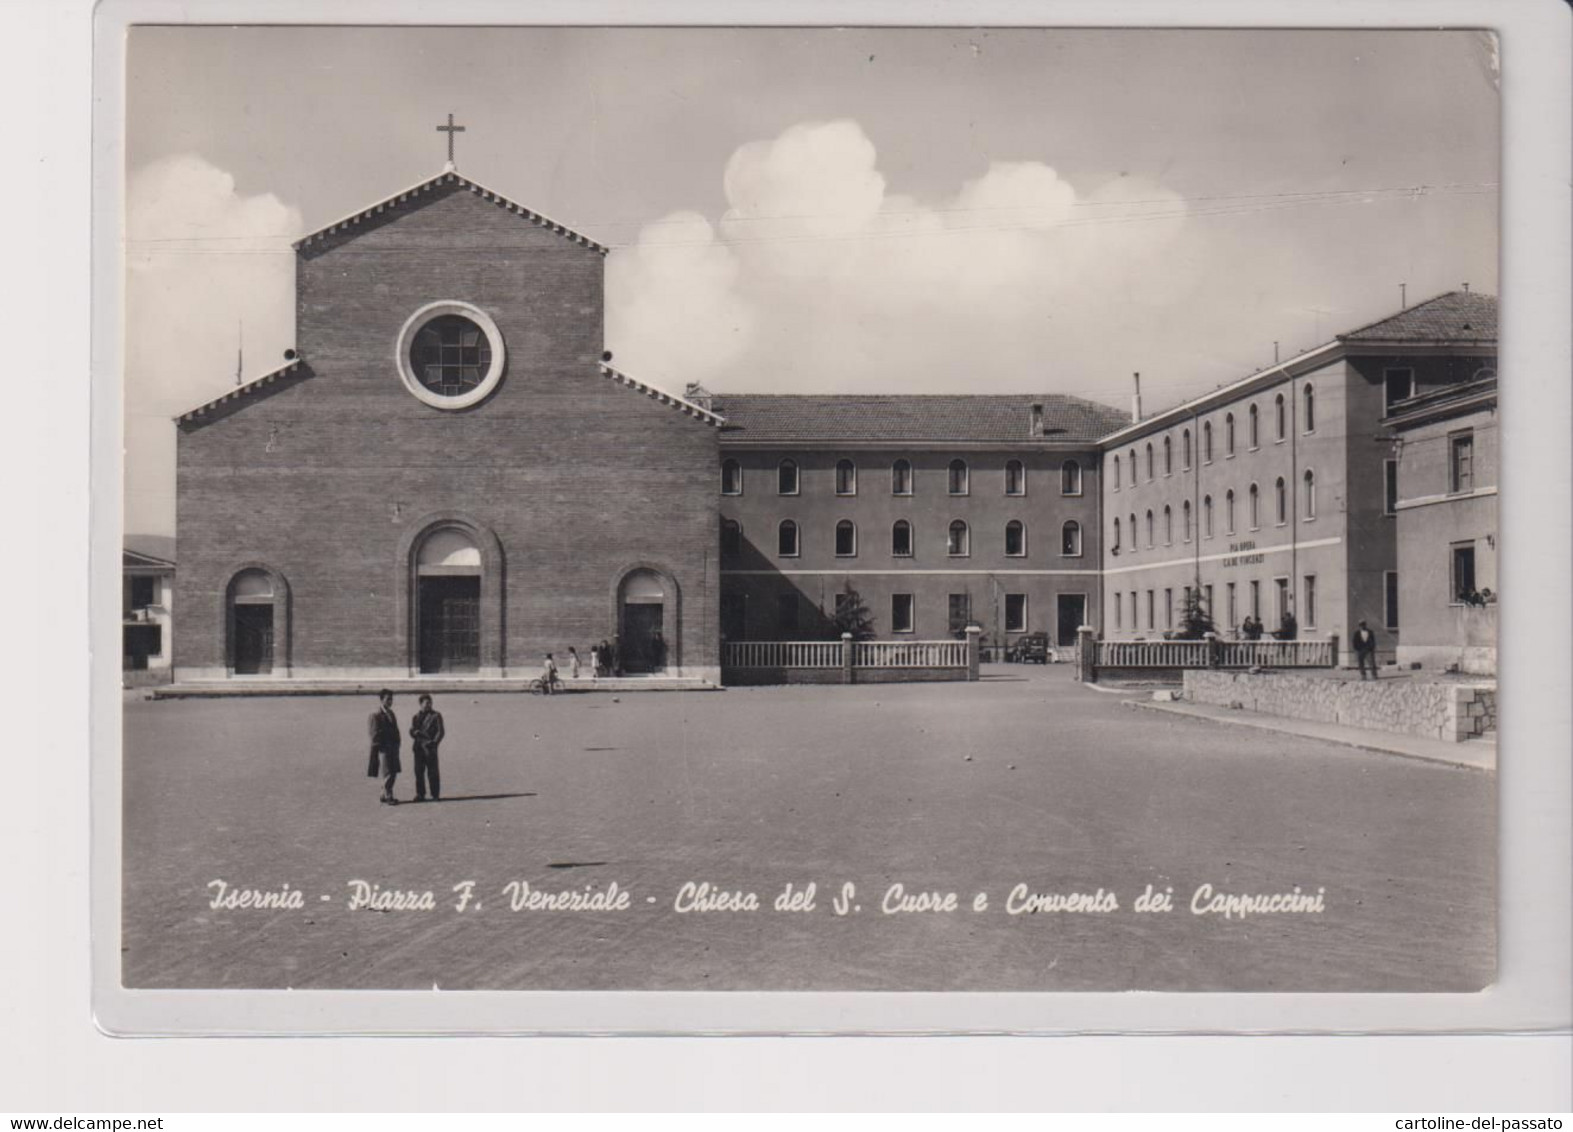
x: 828, y: 210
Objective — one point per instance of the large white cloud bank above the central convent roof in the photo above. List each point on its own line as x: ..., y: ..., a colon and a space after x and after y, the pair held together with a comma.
x: 830, y: 281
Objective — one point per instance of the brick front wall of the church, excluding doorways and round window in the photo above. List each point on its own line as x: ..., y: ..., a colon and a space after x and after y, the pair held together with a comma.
x: 330, y: 480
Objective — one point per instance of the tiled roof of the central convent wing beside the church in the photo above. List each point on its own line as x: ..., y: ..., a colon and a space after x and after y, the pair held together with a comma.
x: 913, y: 417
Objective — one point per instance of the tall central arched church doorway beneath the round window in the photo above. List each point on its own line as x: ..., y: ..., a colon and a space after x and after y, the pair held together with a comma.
x: 449, y: 603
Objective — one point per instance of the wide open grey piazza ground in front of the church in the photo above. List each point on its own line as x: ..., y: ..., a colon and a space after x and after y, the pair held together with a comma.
x: 1025, y: 779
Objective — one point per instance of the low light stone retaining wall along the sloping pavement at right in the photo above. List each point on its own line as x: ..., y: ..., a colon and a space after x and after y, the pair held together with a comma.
x: 1432, y: 710
